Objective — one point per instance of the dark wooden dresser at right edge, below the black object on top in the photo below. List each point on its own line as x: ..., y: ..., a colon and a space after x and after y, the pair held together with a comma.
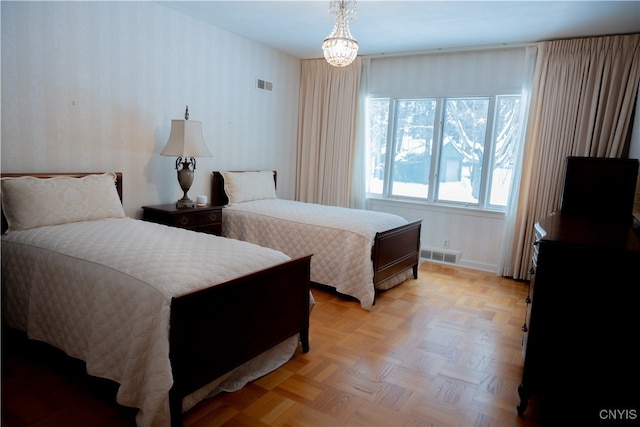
x: 582, y: 324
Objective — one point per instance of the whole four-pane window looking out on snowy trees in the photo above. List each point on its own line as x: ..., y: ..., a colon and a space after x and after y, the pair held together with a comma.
x: 458, y: 151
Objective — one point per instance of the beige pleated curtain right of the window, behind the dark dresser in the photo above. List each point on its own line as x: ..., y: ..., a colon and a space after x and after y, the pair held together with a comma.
x: 582, y: 104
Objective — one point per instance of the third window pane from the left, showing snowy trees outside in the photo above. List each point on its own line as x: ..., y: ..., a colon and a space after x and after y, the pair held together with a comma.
x: 462, y: 150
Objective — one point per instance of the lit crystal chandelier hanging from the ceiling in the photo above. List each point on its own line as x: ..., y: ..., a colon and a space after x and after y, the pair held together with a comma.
x: 340, y: 47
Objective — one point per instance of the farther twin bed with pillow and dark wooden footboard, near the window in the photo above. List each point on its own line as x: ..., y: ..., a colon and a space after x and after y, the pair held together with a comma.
x: 356, y: 252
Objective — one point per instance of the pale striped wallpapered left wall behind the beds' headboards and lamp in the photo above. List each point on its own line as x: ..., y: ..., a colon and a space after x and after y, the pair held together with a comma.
x: 93, y: 86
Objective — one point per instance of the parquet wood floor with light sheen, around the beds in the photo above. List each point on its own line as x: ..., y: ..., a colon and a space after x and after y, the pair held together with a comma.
x: 443, y: 350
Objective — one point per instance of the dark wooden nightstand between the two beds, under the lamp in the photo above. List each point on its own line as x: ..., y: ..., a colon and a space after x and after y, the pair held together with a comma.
x: 207, y: 219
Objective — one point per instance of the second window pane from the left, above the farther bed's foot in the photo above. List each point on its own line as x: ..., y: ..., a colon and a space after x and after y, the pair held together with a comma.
x: 413, y: 138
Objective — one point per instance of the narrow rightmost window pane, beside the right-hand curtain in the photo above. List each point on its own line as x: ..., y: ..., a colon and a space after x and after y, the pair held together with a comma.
x: 506, y: 142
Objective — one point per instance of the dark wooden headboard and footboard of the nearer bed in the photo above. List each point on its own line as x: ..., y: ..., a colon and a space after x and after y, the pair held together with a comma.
x: 215, y: 330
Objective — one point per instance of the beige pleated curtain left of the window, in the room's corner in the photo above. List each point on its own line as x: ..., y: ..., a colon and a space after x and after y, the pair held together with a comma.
x: 328, y: 107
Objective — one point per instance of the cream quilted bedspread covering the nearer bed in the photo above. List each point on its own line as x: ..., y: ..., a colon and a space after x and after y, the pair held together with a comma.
x: 101, y: 291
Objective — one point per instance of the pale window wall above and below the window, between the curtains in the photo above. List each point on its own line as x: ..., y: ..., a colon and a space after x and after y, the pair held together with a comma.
x: 475, y: 234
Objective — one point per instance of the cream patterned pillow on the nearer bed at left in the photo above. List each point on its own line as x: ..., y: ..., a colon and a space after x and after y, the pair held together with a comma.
x: 30, y: 202
